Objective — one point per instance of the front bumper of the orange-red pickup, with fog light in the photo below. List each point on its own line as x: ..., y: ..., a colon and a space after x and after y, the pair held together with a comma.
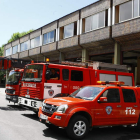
x: 57, y: 119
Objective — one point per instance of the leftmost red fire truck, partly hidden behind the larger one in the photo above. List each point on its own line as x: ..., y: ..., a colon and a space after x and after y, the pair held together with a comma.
x: 13, y: 85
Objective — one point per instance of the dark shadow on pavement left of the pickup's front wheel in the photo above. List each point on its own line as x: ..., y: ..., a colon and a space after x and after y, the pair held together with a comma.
x: 57, y: 133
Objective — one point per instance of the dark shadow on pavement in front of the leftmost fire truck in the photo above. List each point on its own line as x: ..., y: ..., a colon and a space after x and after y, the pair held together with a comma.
x: 12, y: 108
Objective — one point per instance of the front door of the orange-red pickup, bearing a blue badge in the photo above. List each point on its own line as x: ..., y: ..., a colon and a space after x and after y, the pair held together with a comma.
x: 109, y: 113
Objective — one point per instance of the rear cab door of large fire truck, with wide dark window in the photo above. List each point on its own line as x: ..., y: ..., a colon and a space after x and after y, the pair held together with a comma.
x: 76, y: 79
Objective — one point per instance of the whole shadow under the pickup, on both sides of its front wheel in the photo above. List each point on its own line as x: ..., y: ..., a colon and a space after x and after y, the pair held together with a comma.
x: 108, y: 133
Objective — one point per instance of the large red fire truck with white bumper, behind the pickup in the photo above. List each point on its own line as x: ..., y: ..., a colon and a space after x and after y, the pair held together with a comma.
x: 45, y: 80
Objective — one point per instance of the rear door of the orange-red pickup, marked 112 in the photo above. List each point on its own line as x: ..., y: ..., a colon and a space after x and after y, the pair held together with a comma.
x: 130, y: 106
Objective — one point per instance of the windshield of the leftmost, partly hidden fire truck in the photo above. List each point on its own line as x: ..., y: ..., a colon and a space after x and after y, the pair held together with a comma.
x: 13, y: 78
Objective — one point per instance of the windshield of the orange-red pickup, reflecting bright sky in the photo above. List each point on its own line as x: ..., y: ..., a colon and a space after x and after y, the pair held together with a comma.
x: 87, y: 93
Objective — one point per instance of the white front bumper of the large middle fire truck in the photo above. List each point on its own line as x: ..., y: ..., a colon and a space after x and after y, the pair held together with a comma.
x: 35, y: 104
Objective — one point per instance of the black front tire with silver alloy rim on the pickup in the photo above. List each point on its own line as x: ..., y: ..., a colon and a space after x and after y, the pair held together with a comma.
x: 73, y: 125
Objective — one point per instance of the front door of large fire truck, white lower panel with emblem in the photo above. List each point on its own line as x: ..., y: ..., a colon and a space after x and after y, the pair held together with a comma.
x: 53, y: 86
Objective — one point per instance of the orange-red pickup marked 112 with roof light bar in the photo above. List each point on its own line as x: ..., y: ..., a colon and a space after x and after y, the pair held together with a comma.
x: 90, y: 106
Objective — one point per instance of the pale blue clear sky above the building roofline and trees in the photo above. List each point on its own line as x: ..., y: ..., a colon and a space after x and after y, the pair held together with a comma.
x: 23, y: 15
